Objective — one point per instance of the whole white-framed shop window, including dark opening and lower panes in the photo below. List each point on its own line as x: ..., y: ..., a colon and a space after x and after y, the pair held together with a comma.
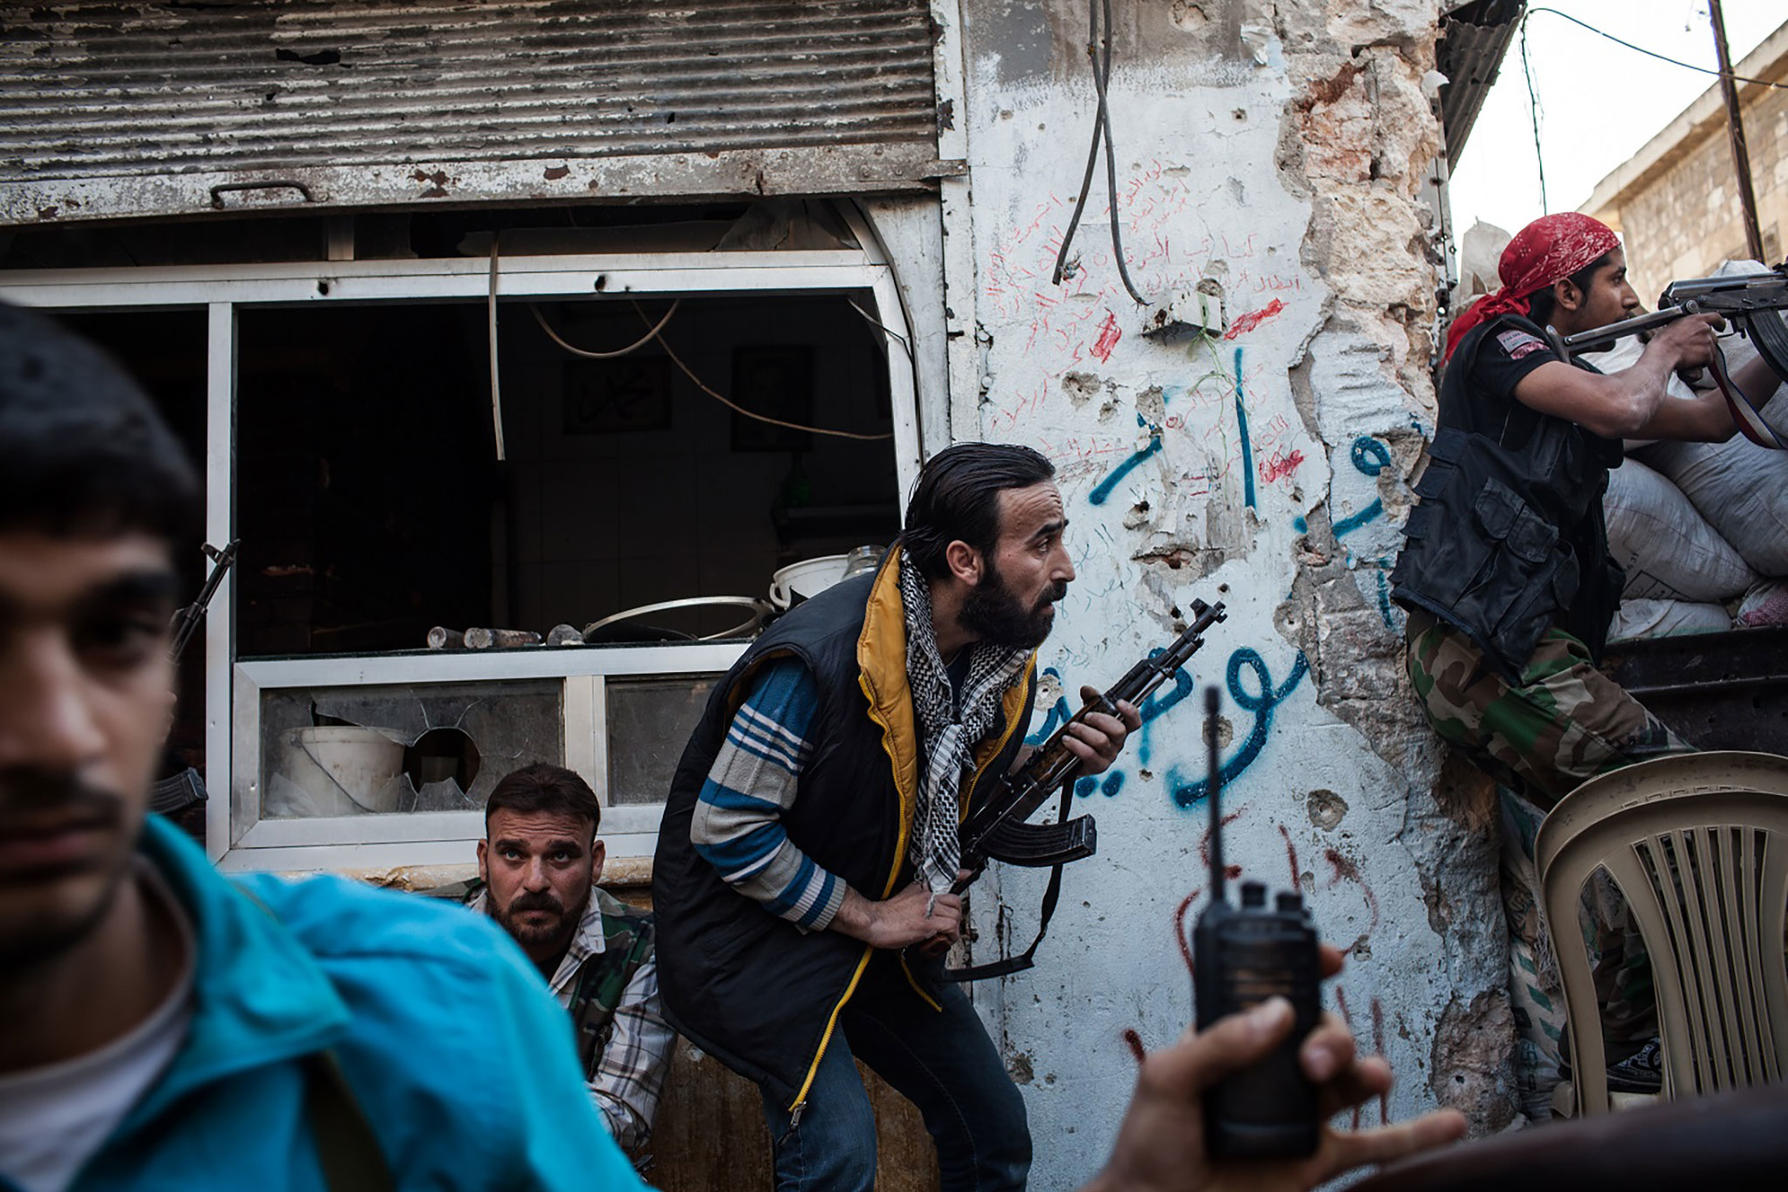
x: 344, y: 421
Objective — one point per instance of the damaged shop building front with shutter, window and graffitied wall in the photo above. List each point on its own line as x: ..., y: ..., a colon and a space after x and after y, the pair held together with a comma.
x: 341, y: 239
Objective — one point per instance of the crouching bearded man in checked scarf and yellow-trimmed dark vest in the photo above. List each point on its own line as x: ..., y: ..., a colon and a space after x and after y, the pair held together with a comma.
x: 813, y: 828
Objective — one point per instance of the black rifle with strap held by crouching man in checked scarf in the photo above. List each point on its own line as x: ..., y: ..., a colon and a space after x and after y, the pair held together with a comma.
x: 997, y: 828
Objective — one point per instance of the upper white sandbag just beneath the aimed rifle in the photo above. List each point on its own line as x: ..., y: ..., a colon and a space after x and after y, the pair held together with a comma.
x: 1739, y: 487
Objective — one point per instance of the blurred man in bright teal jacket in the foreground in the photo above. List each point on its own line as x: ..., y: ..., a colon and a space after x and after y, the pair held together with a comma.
x: 167, y: 1028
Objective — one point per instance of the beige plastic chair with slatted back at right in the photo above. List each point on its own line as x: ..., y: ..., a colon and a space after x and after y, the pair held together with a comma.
x: 1698, y: 846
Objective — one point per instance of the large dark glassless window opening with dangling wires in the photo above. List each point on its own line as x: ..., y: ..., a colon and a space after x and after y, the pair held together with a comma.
x: 373, y: 505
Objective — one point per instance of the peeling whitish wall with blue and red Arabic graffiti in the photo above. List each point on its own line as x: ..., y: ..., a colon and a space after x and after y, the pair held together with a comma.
x: 1274, y: 155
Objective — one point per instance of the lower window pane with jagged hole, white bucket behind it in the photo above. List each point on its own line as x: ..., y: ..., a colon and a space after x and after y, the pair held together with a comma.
x: 401, y: 748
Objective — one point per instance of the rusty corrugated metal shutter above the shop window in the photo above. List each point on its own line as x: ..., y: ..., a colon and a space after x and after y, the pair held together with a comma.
x: 112, y: 108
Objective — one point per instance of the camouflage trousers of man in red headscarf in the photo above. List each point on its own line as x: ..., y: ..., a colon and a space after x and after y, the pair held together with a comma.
x: 1562, y: 725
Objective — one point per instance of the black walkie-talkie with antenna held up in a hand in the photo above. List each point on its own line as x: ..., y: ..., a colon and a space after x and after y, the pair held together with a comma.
x: 1244, y: 957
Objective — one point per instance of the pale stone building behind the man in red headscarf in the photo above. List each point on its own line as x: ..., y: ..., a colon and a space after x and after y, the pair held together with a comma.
x: 1676, y: 203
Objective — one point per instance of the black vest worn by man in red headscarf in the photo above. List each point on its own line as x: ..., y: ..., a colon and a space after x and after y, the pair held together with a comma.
x: 1508, y: 539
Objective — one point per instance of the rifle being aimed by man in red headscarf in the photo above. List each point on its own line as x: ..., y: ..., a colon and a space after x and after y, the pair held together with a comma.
x: 1753, y: 303
